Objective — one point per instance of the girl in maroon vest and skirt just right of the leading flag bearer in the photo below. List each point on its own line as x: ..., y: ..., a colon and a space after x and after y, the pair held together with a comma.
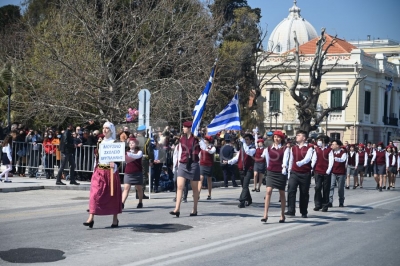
x: 206, y: 164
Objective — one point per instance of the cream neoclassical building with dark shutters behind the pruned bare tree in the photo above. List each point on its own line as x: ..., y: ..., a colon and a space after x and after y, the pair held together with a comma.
x: 374, y: 108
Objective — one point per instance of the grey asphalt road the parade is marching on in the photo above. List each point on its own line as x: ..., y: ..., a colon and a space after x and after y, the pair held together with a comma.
x: 45, y: 227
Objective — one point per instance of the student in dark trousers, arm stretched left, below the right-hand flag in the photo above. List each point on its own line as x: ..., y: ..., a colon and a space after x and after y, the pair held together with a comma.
x: 245, y: 161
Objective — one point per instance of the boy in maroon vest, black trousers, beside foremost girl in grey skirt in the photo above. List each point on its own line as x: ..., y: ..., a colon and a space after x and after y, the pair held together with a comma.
x: 300, y: 174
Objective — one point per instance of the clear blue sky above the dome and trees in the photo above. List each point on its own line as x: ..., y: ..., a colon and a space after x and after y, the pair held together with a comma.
x: 349, y: 19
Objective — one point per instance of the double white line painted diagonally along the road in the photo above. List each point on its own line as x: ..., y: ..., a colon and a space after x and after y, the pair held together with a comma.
x: 183, y: 255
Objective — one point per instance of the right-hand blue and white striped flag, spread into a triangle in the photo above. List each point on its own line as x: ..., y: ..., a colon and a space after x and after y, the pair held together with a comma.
x: 228, y: 119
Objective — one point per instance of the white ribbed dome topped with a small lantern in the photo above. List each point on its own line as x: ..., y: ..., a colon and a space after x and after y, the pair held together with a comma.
x: 281, y: 39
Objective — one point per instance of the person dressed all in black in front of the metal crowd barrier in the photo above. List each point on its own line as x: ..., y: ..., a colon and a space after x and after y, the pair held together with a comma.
x: 67, y: 148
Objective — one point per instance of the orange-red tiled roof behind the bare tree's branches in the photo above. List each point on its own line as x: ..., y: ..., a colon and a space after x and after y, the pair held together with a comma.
x: 339, y: 47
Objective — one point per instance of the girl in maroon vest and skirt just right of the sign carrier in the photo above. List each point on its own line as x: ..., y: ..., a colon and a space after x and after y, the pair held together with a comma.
x: 133, y: 172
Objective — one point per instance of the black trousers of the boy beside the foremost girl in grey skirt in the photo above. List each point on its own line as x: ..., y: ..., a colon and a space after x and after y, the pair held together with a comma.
x: 303, y: 182
